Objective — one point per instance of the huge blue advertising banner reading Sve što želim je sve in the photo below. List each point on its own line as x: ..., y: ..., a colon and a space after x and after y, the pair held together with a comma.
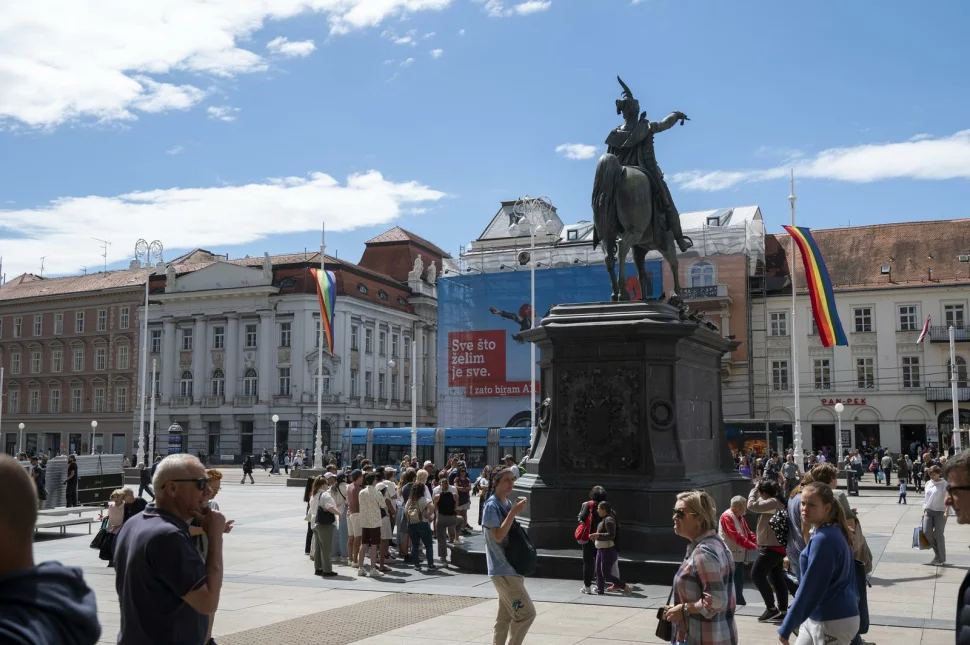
x: 484, y: 364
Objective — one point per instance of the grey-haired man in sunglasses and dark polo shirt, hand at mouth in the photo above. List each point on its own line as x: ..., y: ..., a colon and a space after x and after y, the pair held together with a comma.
x: 167, y: 591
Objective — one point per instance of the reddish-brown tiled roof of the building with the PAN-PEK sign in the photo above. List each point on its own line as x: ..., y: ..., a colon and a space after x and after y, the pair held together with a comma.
x: 919, y: 253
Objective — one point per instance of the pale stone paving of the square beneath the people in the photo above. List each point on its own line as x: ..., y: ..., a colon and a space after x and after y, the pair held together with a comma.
x: 270, y: 584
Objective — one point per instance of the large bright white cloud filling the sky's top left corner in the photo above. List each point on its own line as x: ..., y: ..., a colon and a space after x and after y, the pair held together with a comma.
x: 63, y: 60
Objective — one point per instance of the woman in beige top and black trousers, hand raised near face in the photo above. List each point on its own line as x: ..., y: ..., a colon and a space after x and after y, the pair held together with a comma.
x: 772, y: 534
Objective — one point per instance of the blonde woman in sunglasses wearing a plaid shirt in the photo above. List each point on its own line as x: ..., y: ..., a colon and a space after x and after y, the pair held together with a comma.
x: 704, y: 602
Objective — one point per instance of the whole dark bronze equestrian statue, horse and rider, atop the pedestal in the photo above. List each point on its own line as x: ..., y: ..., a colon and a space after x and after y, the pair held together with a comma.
x: 632, y: 206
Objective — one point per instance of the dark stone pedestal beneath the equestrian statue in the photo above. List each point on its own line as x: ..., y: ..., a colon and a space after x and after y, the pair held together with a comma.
x: 634, y: 405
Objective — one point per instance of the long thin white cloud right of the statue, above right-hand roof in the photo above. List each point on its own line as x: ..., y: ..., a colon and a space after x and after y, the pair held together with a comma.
x: 922, y: 157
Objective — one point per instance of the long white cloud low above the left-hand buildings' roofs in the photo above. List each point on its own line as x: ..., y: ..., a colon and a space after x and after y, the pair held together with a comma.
x: 205, y: 216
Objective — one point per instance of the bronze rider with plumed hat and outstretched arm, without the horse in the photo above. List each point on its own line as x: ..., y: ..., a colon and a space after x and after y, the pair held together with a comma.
x: 632, y: 143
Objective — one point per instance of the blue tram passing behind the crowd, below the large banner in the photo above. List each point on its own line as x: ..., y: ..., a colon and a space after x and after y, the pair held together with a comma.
x: 481, y: 446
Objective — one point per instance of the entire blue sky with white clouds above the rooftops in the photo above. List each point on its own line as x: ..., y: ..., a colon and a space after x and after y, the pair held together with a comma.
x: 237, y: 126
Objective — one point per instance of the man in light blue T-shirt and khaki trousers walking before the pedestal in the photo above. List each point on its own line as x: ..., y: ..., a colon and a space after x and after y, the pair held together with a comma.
x: 516, y: 613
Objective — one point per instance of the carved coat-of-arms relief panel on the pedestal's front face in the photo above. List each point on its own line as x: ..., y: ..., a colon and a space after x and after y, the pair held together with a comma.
x: 598, y: 419
